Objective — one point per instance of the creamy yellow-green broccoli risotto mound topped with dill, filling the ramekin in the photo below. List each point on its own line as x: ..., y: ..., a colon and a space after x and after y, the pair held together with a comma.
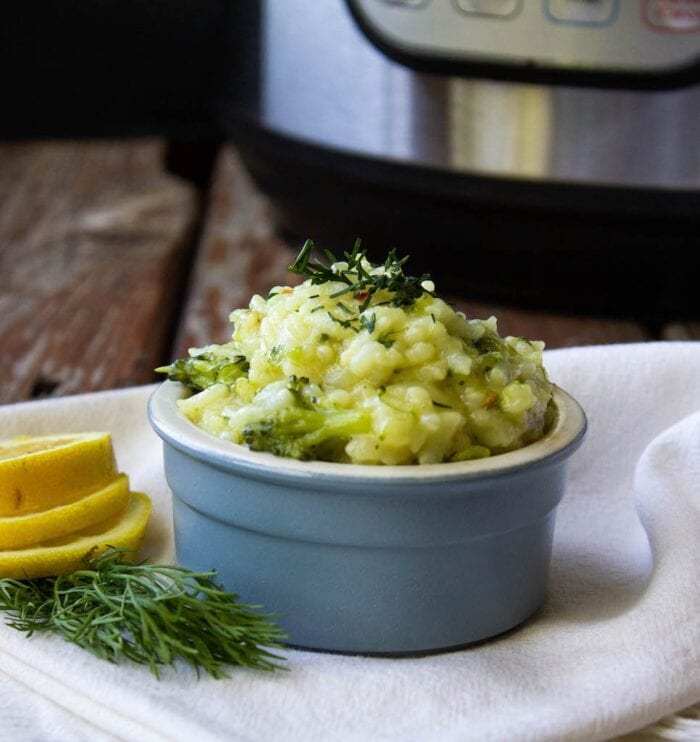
x: 364, y: 364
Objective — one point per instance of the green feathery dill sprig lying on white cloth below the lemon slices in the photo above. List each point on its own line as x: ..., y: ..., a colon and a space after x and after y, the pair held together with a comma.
x: 151, y: 614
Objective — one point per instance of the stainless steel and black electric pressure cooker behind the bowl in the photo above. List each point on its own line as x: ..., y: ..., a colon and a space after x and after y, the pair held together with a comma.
x: 545, y: 152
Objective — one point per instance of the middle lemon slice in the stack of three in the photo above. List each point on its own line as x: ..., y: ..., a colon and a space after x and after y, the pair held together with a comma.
x: 28, y: 530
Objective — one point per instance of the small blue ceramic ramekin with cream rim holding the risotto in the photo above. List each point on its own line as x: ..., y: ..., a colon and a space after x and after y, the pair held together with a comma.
x: 370, y: 559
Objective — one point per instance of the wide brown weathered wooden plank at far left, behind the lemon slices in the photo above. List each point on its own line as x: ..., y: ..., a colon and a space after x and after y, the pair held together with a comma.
x: 92, y: 241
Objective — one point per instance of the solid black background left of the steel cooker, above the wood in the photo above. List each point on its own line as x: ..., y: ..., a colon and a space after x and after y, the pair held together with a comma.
x: 86, y: 68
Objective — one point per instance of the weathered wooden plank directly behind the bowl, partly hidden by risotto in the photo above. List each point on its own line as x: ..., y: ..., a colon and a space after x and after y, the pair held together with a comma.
x: 240, y: 255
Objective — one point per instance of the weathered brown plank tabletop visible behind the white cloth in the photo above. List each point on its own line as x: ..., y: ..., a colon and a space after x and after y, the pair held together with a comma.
x: 110, y: 265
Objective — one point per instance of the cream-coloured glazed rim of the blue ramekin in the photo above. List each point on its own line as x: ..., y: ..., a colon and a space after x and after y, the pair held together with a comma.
x: 177, y: 430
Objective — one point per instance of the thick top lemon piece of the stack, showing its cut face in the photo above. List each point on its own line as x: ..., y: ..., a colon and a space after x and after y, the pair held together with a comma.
x: 41, y: 472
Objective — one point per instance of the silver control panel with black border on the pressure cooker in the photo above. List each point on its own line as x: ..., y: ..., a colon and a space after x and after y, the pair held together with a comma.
x: 613, y: 41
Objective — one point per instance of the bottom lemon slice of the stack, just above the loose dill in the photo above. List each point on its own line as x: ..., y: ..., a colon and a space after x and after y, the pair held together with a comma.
x: 63, y: 555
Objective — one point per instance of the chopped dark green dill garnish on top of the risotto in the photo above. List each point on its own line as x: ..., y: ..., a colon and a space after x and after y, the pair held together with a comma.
x: 364, y: 285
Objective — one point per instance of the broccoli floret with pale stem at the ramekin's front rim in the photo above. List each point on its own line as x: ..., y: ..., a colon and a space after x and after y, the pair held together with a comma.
x: 301, y: 433
